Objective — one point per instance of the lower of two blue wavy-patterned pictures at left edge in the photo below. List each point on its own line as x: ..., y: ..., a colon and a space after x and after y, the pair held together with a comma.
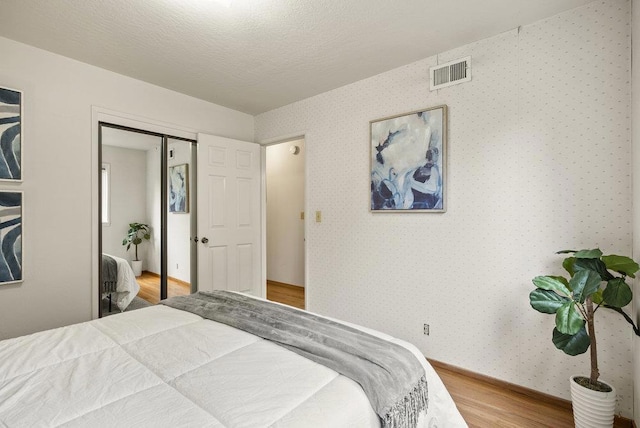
x: 10, y: 237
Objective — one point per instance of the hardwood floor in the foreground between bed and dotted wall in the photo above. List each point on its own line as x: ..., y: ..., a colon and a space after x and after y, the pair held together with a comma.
x: 485, y: 402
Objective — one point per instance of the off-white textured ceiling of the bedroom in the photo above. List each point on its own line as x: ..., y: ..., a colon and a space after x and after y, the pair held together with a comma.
x: 256, y: 55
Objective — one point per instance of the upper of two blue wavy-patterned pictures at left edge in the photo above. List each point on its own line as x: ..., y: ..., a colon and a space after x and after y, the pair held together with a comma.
x: 10, y: 134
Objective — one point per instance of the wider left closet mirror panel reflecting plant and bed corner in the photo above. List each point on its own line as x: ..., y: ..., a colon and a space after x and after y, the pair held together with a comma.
x: 130, y: 196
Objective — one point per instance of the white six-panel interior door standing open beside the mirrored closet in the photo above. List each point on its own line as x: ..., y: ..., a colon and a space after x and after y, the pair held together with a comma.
x: 229, y: 215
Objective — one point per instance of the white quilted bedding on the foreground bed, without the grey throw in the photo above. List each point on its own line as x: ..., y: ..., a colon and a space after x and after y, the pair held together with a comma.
x: 160, y: 366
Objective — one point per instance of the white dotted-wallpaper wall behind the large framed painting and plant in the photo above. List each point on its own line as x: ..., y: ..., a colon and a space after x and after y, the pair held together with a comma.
x: 539, y: 161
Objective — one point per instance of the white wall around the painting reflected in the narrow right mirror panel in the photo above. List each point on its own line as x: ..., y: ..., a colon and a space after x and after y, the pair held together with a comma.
x: 179, y: 224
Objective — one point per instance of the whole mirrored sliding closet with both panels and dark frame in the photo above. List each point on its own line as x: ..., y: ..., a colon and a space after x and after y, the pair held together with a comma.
x: 146, y: 183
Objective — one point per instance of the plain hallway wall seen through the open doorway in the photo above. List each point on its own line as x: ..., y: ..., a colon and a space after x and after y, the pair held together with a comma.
x: 285, y: 202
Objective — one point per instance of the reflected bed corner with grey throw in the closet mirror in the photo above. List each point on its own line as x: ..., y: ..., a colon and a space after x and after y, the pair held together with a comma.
x: 119, y: 282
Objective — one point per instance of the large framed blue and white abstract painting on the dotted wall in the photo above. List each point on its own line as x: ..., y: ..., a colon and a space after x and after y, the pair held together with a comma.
x: 408, y: 161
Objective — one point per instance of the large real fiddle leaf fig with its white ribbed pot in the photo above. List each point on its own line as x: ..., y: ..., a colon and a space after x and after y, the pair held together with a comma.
x: 595, y: 281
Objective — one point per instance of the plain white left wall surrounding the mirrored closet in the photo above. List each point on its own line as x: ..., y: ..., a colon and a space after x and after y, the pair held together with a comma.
x: 59, y: 169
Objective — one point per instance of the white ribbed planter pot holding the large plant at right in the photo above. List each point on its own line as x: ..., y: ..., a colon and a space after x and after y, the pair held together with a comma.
x: 592, y: 409
